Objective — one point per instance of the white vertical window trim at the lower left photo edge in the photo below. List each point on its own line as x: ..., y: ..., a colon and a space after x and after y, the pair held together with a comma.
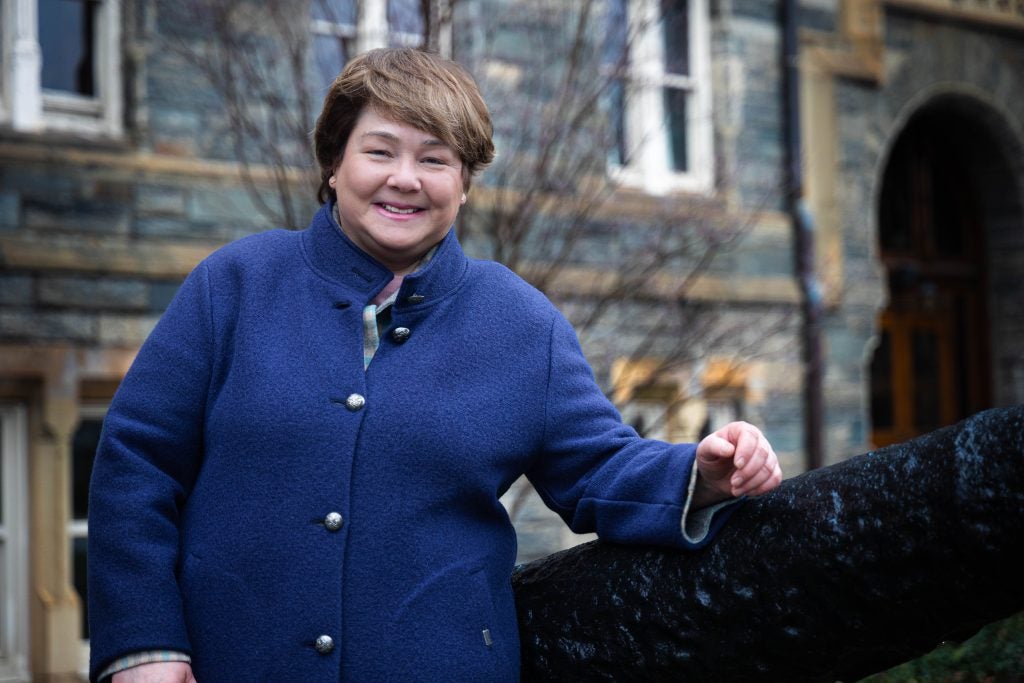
x: 14, y: 453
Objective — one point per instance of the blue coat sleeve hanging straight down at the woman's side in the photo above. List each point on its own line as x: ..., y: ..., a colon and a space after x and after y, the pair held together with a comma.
x: 149, y: 456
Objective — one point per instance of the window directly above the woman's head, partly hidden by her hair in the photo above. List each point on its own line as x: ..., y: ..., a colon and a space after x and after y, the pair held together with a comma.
x: 345, y: 28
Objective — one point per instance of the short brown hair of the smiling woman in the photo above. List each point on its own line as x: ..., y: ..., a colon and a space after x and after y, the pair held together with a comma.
x: 414, y: 88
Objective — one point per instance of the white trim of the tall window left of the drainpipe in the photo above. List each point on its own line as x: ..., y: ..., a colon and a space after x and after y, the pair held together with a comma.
x: 647, y: 137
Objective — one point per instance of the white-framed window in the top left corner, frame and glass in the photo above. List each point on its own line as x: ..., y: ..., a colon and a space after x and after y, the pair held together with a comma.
x: 62, y: 66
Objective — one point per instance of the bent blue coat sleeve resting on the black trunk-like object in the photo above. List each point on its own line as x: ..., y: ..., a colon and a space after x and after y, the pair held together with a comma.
x: 600, y: 476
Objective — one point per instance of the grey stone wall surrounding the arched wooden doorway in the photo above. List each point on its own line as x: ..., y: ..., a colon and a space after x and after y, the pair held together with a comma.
x: 979, y: 71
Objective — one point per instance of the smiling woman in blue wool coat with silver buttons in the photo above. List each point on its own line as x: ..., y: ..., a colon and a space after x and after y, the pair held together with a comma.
x: 298, y: 479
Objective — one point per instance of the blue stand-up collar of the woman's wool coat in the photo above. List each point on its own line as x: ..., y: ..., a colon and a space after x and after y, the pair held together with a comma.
x: 336, y: 259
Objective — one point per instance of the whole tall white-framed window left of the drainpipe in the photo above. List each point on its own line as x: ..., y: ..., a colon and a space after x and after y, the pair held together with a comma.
x: 660, y: 101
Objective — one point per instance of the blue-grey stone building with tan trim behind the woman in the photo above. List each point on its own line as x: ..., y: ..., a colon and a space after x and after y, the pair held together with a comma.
x: 121, y: 167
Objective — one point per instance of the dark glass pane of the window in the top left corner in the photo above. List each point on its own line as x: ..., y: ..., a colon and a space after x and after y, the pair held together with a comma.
x: 67, y: 37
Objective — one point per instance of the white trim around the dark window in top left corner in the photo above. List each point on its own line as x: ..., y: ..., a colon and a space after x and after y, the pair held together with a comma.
x: 27, y: 107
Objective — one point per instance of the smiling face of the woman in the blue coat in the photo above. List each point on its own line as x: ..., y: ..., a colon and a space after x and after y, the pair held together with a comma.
x: 399, y: 190
